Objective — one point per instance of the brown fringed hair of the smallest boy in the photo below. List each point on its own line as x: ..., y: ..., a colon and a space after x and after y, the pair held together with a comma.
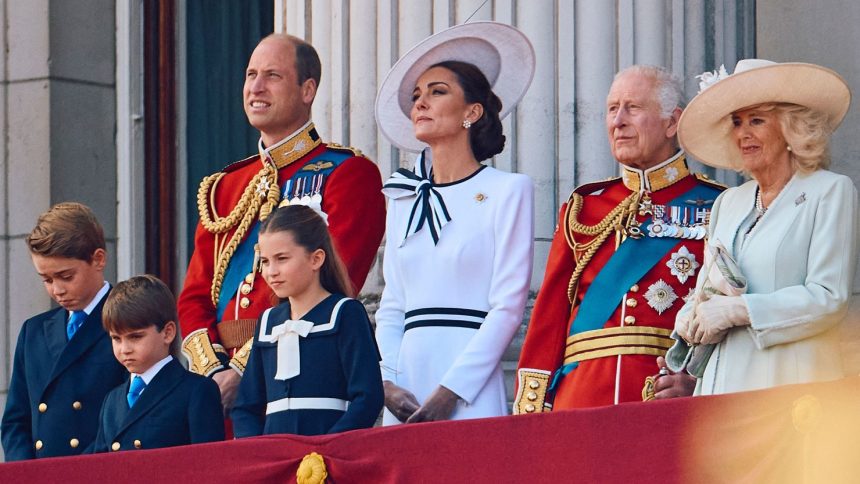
x: 138, y: 303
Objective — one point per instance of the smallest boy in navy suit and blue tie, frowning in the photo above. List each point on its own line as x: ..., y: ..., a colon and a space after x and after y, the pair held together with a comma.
x: 162, y: 404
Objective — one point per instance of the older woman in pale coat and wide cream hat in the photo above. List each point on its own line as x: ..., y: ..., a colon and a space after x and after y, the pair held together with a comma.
x: 792, y: 229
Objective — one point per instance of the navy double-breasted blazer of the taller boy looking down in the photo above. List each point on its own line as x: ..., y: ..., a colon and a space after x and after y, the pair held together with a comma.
x: 57, y: 386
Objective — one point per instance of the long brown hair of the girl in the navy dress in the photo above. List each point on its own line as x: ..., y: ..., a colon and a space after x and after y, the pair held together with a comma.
x: 310, y: 231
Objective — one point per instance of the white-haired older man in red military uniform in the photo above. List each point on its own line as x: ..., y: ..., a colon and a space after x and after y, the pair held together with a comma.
x: 624, y: 256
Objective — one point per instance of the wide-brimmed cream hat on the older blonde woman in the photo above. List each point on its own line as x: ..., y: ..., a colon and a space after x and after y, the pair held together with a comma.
x: 705, y: 128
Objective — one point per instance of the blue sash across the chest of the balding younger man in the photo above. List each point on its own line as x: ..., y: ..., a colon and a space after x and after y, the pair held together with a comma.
x: 242, y: 260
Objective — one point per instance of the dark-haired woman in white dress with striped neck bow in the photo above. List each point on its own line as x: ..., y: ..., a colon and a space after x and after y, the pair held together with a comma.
x: 458, y: 254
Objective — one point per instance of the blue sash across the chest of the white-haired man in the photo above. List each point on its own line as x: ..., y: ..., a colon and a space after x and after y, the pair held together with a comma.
x: 633, y: 259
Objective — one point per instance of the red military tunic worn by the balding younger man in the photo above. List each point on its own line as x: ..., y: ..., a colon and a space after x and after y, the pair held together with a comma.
x: 355, y: 206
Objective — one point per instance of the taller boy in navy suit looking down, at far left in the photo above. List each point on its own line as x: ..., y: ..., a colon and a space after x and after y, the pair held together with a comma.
x: 63, y: 366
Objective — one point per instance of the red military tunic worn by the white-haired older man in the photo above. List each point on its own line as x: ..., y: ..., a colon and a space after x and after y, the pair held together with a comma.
x: 615, y: 359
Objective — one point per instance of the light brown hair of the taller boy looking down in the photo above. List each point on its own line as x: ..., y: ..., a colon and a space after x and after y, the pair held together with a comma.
x: 67, y: 229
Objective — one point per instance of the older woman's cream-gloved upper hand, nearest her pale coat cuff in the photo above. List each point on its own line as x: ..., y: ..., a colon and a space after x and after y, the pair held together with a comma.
x: 716, y: 316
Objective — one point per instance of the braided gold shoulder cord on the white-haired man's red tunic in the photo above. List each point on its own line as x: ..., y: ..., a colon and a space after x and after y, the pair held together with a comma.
x: 614, y: 220
